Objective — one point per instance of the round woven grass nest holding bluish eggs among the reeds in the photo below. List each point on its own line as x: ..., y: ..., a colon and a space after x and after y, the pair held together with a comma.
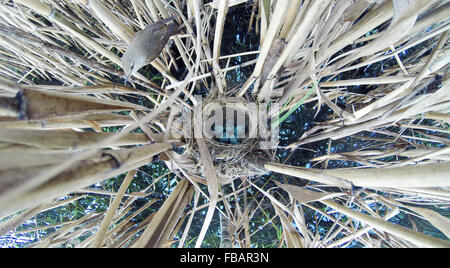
x: 229, y: 127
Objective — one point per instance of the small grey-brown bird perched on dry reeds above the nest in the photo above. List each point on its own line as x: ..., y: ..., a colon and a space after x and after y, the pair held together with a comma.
x: 146, y: 45
